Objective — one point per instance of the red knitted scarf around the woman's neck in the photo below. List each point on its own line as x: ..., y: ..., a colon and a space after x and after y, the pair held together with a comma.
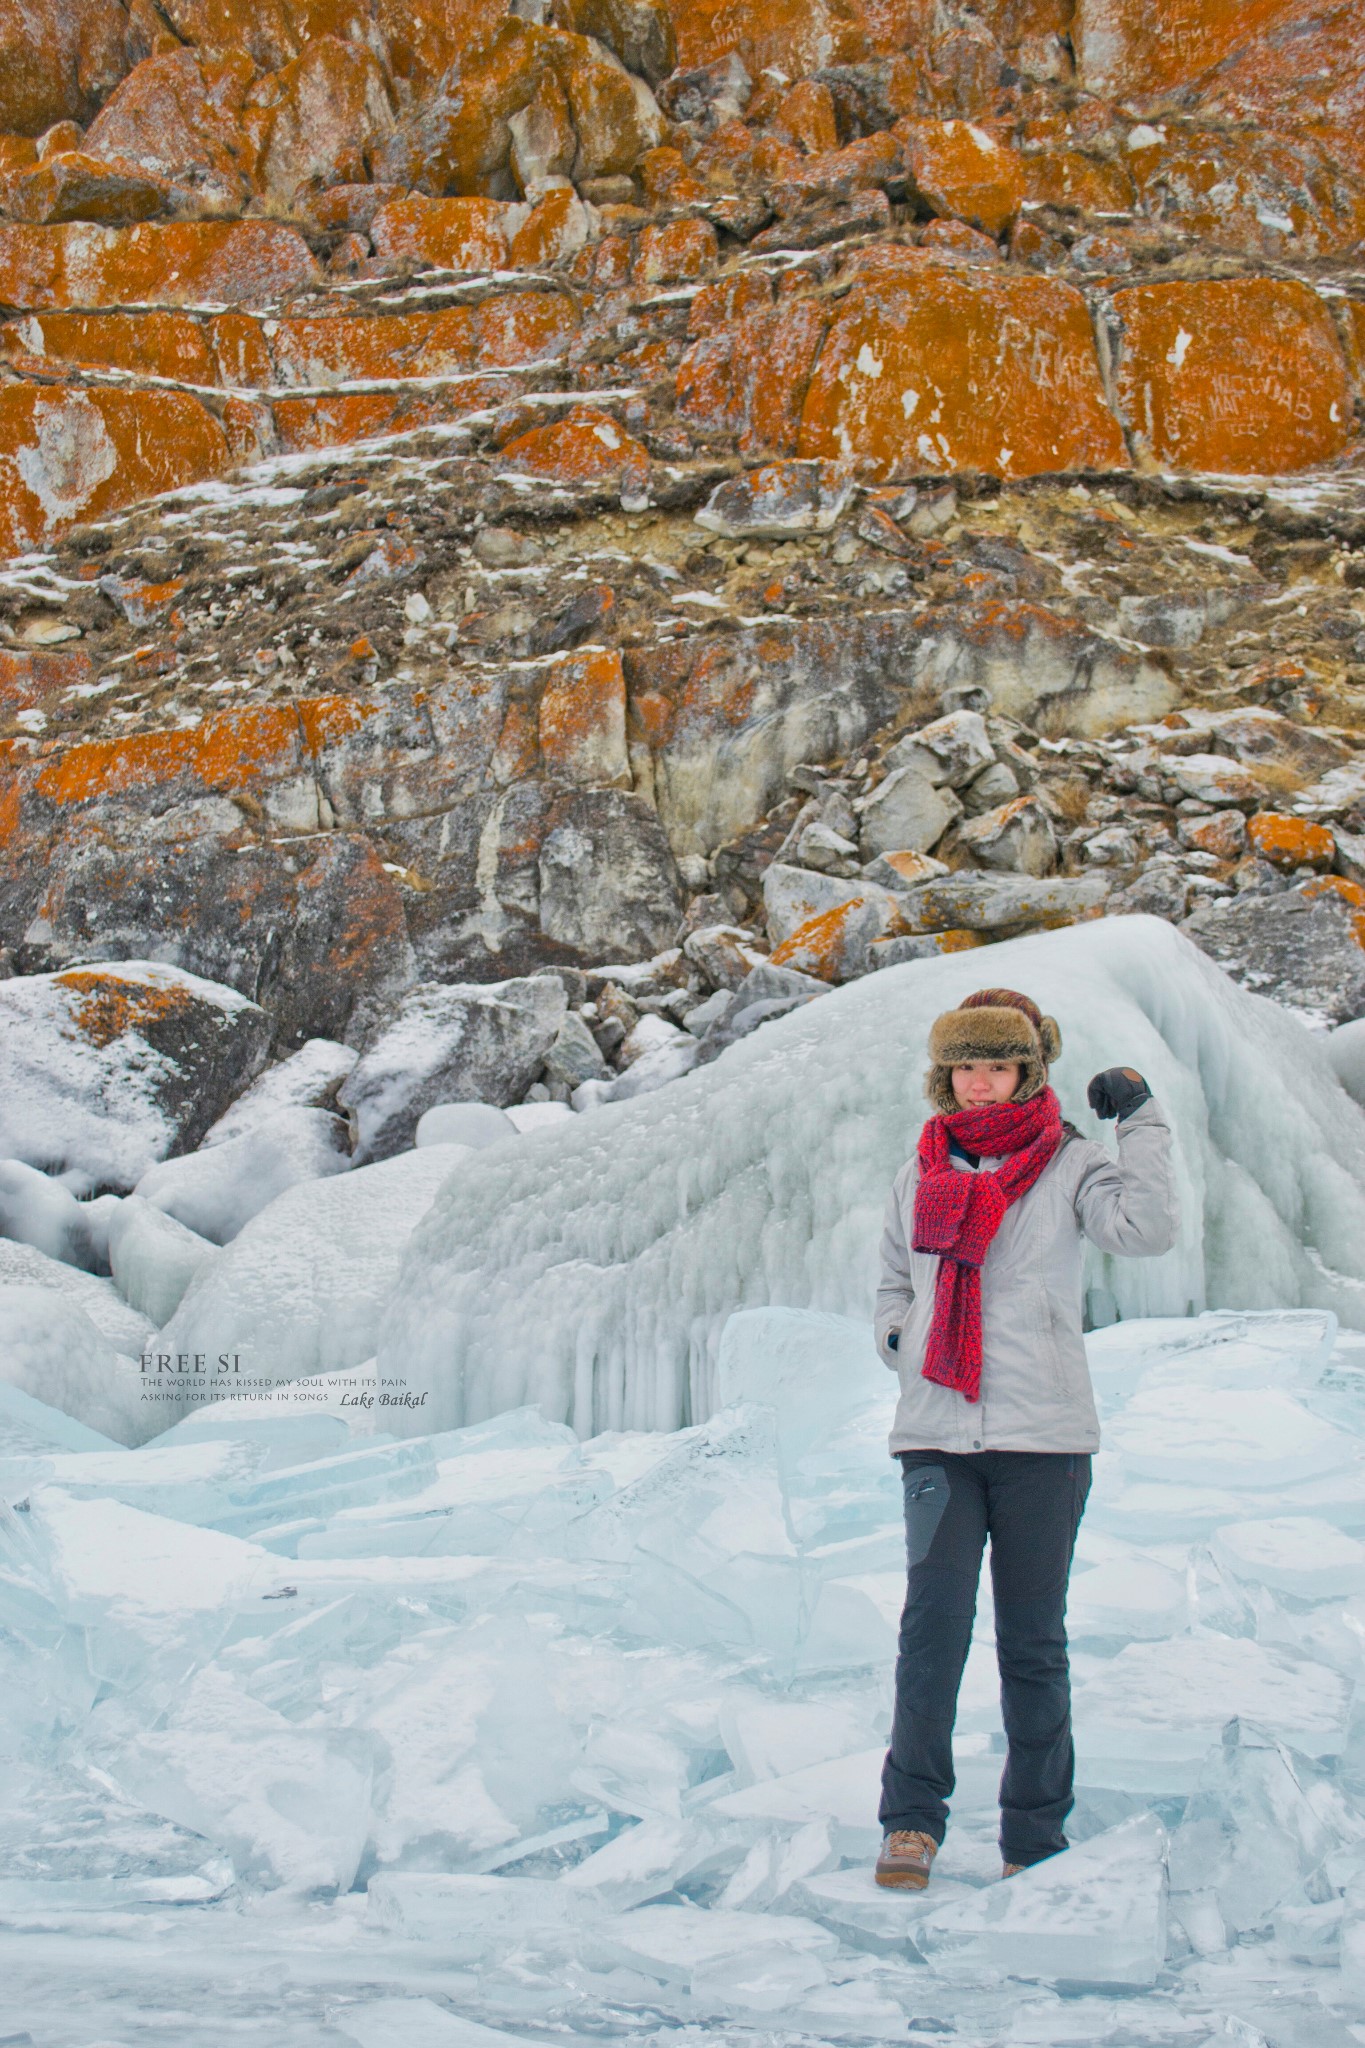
x: 959, y: 1213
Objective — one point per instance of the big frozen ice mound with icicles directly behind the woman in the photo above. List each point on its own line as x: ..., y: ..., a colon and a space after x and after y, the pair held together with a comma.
x: 595, y: 1273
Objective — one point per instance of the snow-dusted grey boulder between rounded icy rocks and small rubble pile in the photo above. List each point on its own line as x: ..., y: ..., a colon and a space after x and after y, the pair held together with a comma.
x: 451, y: 1043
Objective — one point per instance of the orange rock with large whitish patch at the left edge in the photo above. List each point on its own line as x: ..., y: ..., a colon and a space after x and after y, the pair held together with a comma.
x: 73, y: 456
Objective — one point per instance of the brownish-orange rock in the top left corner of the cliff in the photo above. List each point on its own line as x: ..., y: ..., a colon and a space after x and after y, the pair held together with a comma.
x: 58, y: 60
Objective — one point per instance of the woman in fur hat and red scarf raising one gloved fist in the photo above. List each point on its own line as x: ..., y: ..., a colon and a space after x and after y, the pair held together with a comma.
x: 979, y: 1312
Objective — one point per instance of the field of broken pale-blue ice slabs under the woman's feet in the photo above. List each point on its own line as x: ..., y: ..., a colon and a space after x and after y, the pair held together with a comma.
x: 500, y: 1736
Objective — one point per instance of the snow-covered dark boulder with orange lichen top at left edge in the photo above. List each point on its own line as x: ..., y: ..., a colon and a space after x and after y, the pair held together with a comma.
x: 105, y: 1070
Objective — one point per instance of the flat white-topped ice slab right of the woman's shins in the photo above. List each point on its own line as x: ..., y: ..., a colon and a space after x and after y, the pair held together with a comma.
x: 1147, y: 1719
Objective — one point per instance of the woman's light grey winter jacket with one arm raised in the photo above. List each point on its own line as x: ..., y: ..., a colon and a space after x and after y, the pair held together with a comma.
x: 1034, y: 1377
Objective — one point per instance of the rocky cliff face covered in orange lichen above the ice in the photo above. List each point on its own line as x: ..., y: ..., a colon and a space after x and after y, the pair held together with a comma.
x: 498, y: 490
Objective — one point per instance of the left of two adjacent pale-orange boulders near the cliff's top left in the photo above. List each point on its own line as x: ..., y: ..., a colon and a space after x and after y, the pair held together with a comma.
x: 179, y: 120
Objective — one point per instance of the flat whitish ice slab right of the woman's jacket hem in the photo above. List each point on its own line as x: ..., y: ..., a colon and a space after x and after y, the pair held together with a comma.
x: 1243, y: 1439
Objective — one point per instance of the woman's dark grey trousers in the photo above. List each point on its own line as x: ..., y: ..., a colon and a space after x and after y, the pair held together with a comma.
x: 1030, y: 1506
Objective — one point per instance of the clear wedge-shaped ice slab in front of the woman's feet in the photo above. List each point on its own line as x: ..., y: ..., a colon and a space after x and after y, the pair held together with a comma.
x: 1092, y: 1916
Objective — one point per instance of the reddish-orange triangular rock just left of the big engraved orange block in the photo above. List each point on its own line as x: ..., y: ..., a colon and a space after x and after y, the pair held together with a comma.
x: 750, y: 376
